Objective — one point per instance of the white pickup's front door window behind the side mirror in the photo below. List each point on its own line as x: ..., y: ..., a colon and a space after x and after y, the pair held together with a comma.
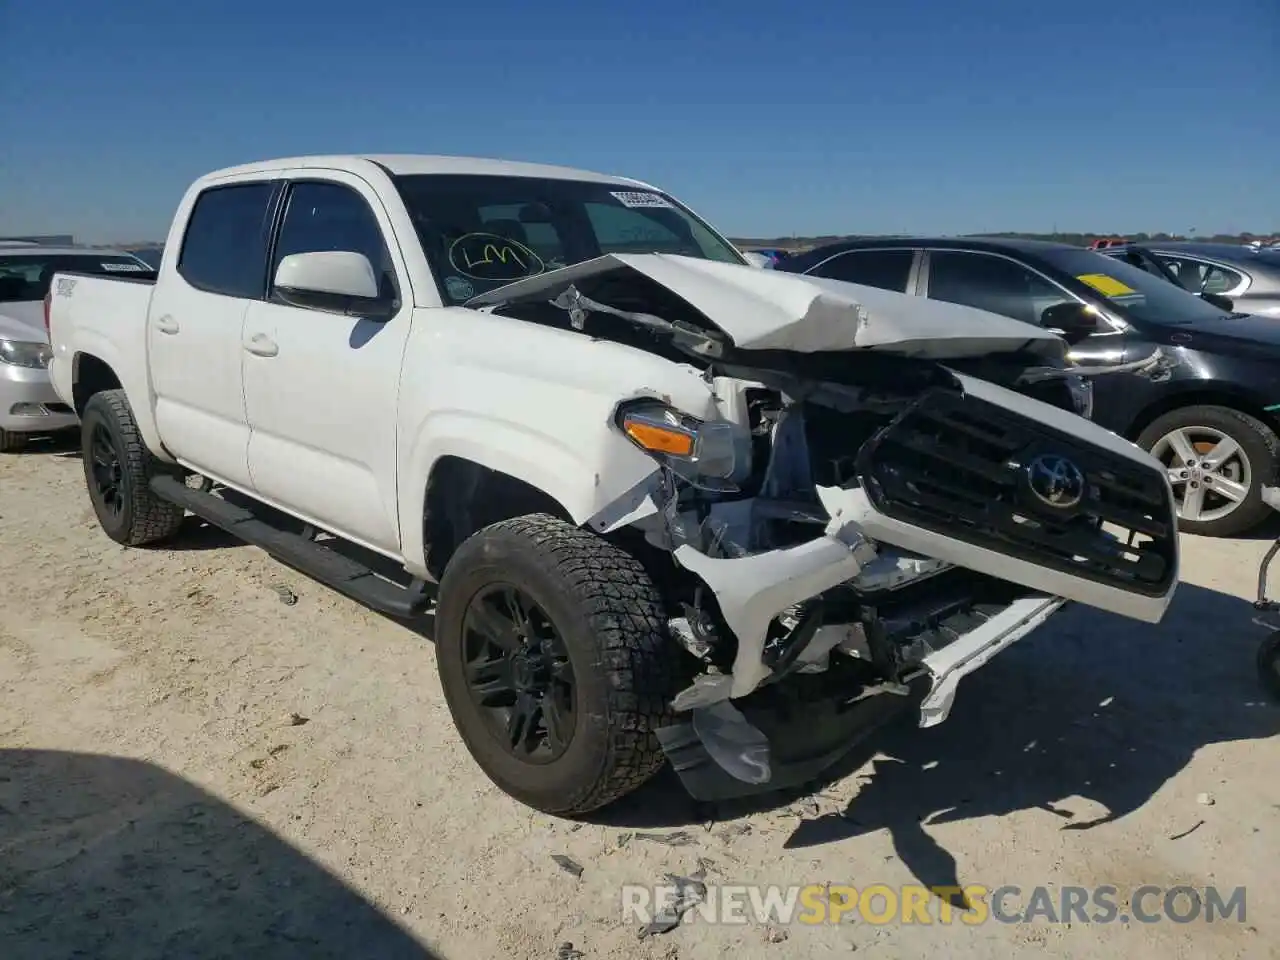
x: 331, y: 217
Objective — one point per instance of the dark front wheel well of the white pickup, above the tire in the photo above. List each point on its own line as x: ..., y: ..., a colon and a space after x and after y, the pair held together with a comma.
x: 464, y: 497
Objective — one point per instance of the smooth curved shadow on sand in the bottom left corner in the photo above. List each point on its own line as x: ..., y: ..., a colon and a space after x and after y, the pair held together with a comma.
x: 103, y: 857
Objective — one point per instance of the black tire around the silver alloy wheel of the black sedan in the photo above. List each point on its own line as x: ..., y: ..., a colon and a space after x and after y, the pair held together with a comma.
x: 1260, y: 446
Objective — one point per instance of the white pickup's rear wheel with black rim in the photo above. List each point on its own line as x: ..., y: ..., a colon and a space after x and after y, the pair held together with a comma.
x: 118, y: 470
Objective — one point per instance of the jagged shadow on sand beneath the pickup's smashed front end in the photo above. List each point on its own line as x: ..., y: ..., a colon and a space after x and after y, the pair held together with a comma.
x: 1094, y: 707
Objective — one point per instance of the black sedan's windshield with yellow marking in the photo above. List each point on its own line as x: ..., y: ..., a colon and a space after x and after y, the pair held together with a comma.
x: 1135, y: 292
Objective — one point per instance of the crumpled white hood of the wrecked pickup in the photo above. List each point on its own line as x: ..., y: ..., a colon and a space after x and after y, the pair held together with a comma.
x: 767, y: 310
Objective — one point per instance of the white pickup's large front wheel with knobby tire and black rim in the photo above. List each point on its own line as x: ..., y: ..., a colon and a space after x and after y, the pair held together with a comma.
x: 609, y: 618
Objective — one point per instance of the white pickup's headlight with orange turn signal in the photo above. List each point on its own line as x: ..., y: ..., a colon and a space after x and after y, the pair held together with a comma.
x: 707, y: 455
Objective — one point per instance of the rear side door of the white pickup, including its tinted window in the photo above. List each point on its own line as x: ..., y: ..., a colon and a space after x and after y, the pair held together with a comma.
x: 195, y: 327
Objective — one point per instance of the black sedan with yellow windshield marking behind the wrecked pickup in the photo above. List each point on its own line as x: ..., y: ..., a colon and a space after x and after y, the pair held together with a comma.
x: 1214, y: 423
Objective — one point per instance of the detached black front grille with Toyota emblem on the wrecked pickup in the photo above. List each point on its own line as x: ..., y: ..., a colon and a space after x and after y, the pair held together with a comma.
x: 961, y: 467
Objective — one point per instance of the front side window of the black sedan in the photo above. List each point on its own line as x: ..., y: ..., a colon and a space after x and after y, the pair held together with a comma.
x: 993, y: 284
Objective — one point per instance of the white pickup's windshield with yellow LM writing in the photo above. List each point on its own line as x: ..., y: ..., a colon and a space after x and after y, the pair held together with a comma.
x: 483, y: 232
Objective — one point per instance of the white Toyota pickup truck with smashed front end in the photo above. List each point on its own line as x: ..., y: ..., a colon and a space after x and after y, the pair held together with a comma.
x: 666, y: 504
